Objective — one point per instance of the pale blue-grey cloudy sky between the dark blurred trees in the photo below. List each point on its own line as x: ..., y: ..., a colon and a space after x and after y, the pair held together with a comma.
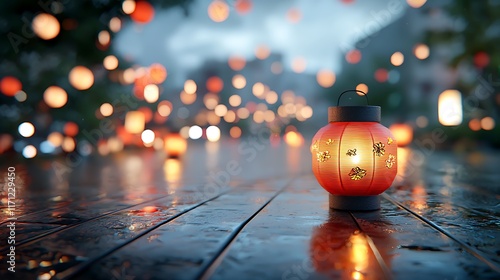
x: 183, y: 43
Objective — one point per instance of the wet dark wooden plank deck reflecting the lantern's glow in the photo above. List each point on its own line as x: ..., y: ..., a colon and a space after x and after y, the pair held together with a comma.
x: 227, y: 211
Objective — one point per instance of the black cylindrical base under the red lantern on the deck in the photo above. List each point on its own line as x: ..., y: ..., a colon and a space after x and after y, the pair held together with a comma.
x: 355, y: 203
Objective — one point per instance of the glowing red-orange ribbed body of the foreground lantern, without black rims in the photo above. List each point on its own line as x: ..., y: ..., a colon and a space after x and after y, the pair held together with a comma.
x: 354, y: 158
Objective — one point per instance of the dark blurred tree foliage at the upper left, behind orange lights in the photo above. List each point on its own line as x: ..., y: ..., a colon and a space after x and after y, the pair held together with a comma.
x: 39, y: 63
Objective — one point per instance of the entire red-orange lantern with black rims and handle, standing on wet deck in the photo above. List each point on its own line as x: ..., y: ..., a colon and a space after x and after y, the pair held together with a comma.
x: 354, y: 157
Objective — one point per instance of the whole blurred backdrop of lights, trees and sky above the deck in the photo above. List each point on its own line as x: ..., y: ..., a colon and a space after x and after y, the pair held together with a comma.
x: 97, y: 77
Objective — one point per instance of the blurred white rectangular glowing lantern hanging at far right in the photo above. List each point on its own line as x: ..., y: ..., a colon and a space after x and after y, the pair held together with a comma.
x: 450, y: 107
